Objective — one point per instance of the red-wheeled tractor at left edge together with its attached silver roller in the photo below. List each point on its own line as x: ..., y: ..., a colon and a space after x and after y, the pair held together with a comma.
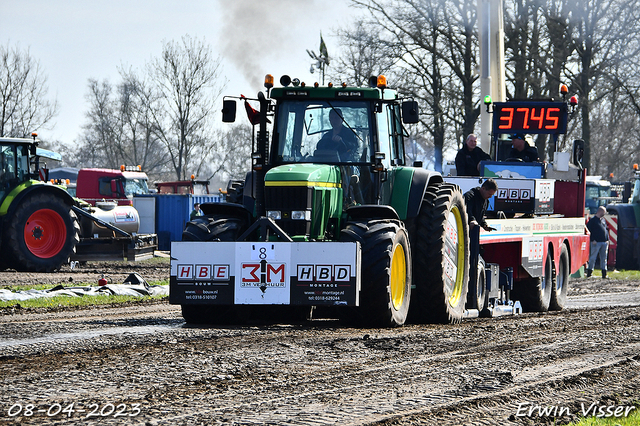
x: 43, y: 227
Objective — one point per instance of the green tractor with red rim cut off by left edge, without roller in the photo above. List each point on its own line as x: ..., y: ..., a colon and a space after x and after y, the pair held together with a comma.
x: 39, y: 230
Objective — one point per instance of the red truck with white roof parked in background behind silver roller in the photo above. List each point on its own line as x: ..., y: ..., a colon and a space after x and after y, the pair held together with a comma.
x: 111, y: 185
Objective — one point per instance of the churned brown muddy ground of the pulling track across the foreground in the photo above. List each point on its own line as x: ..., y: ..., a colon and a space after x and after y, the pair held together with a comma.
x: 143, y: 365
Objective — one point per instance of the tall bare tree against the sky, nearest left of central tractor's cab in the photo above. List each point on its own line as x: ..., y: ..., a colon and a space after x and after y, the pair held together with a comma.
x: 187, y: 82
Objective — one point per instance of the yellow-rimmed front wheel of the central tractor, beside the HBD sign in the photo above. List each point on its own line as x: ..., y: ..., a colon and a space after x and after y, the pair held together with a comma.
x: 386, y: 275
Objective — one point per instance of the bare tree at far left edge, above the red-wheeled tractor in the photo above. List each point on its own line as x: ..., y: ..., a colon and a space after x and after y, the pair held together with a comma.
x: 23, y: 92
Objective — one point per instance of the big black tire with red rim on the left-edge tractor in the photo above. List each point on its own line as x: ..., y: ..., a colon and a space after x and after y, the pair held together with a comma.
x: 41, y: 235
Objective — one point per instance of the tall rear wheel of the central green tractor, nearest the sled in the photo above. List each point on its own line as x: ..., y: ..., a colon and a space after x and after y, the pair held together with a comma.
x: 440, y: 296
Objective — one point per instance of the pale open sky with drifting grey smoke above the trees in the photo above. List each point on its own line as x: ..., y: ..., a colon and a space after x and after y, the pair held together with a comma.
x: 75, y: 40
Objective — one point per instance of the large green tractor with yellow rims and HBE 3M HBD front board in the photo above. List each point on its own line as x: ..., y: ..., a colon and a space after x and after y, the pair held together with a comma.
x: 330, y: 216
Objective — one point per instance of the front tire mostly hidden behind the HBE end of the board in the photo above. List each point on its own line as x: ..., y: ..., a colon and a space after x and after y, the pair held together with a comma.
x: 212, y: 228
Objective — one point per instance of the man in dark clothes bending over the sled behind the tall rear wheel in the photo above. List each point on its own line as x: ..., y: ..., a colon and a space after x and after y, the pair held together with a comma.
x: 476, y: 200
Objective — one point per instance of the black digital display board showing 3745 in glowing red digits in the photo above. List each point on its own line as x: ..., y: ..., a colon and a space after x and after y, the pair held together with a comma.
x: 529, y: 117
